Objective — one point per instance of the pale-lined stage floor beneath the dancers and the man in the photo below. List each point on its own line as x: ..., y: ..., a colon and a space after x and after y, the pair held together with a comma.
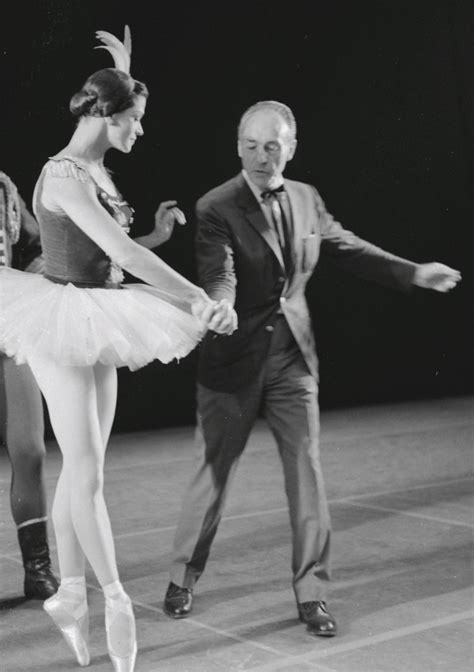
x: 400, y: 484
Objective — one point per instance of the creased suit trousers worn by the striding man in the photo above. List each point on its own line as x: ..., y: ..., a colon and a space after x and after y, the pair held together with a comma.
x: 287, y: 394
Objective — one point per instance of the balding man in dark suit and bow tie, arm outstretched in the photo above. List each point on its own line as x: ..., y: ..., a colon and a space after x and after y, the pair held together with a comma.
x: 258, y: 241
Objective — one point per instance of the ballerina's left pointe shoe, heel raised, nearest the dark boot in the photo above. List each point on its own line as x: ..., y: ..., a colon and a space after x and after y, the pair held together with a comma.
x: 73, y: 623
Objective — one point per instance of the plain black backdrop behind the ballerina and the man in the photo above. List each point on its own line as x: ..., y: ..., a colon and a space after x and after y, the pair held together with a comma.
x: 382, y: 92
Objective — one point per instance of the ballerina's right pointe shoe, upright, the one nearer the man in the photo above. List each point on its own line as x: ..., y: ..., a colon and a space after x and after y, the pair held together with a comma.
x: 121, y: 633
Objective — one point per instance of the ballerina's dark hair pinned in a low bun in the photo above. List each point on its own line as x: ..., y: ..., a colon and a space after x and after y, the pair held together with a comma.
x: 106, y: 92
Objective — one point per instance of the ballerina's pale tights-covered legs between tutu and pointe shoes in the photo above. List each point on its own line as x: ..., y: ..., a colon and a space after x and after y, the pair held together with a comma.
x: 81, y: 403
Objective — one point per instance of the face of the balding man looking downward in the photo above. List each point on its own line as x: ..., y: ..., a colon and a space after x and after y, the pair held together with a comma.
x: 265, y: 145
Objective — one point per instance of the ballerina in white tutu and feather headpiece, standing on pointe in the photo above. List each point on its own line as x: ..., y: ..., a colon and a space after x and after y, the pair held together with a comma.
x: 78, y: 323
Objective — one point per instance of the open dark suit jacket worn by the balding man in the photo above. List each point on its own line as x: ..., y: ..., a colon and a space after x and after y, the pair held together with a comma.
x: 239, y: 258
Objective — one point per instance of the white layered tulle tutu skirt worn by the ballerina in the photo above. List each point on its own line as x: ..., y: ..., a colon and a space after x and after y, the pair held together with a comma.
x: 130, y: 326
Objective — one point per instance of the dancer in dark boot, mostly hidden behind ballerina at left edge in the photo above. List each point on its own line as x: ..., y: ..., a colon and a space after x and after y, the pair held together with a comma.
x: 22, y: 427
